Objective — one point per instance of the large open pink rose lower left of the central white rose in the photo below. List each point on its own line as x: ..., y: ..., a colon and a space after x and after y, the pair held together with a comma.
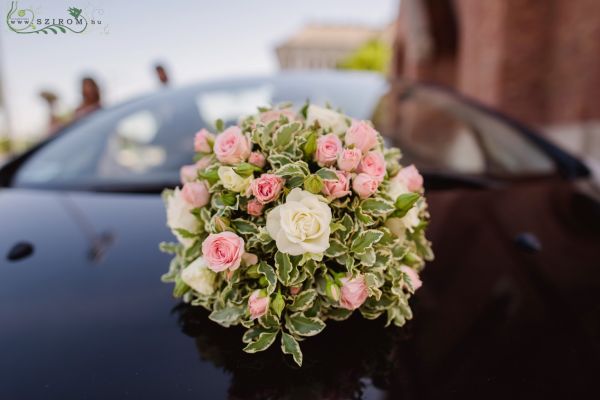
x: 223, y: 251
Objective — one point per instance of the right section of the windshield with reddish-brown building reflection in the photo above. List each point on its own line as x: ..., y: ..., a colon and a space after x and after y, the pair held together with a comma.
x: 437, y: 131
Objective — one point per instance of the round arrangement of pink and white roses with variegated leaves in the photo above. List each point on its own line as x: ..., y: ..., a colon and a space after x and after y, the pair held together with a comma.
x: 291, y: 219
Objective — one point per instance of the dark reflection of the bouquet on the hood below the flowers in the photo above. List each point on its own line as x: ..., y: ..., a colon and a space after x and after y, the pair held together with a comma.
x: 335, y: 366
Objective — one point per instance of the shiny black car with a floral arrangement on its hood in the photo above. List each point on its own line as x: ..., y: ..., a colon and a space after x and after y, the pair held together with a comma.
x: 510, y: 306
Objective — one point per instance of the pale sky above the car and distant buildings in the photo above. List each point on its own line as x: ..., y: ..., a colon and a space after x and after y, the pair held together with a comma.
x: 196, y: 41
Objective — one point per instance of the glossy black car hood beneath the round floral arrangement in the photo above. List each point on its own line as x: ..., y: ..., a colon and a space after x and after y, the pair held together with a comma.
x: 85, y: 315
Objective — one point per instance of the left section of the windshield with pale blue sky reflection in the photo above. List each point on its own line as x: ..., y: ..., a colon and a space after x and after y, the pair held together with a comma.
x: 145, y: 142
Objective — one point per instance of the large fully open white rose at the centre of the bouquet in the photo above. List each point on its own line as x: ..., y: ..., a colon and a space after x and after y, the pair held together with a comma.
x: 301, y: 225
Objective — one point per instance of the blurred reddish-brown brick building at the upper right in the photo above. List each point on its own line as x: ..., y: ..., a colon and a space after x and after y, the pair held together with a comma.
x: 538, y: 61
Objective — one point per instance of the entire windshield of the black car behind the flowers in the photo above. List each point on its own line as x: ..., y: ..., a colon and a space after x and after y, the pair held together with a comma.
x: 144, y: 143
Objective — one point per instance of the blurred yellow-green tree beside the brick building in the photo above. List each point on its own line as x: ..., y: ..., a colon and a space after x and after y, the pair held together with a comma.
x: 374, y: 55
